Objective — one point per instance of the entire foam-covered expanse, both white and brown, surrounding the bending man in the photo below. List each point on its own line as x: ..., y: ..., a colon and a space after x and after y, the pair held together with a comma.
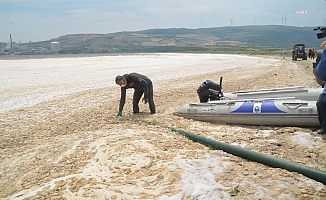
x: 60, y: 137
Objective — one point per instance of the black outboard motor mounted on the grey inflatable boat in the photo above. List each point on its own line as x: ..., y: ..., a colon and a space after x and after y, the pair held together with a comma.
x: 205, y: 94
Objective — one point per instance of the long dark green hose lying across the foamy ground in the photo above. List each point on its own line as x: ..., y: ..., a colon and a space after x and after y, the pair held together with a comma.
x: 316, y: 174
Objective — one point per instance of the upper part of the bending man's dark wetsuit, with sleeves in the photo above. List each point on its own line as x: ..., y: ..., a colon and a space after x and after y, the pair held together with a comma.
x: 137, y: 81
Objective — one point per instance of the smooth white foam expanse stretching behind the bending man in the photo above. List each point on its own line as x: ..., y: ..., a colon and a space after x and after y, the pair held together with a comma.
x: 31, y: 81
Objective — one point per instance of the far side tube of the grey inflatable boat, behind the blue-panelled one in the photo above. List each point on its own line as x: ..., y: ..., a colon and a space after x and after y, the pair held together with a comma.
x: 297, y: 92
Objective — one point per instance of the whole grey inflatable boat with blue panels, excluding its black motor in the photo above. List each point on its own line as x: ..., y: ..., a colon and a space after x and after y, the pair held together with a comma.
x: 288, y: 106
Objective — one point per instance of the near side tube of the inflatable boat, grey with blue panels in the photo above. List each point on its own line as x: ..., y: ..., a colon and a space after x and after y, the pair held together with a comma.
x: 269, y: 112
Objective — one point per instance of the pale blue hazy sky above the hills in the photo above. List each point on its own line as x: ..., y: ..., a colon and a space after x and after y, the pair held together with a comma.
x: 39, y: 20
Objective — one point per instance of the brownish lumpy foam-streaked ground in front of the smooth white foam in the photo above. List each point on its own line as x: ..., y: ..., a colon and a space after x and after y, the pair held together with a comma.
x: 76, y: 147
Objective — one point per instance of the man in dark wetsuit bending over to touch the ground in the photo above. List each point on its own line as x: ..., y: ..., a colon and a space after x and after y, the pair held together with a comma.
x: 142, y: 85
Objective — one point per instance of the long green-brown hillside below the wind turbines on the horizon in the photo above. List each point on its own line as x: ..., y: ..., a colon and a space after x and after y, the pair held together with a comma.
x: 237, y: 39
